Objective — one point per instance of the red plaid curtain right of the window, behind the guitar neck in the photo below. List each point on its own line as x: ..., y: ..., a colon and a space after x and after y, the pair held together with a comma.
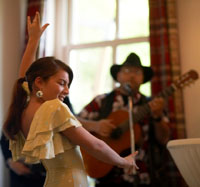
x: 165, y: 58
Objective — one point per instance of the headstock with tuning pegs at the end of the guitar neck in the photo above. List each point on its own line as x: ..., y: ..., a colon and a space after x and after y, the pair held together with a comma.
x: 186, y: 79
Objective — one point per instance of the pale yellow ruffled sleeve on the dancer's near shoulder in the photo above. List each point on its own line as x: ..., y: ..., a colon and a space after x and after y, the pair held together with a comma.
x: 44, y: 140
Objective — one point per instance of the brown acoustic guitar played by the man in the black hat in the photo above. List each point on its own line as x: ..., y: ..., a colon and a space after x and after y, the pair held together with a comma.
x: 119, y: 139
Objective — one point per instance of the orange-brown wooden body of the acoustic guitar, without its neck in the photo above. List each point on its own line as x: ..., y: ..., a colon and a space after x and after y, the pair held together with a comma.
x: 98, y: 169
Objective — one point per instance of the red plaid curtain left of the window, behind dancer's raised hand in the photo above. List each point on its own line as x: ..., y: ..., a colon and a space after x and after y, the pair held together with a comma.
x: 32, y: 7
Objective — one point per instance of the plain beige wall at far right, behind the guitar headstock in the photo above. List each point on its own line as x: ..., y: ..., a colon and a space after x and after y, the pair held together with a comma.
x: 189, y: 33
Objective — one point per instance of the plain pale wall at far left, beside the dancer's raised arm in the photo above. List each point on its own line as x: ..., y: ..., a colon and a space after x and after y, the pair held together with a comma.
x: 11, y: 23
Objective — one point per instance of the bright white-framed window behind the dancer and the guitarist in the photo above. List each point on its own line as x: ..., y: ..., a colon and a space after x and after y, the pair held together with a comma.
x: 92, y: 35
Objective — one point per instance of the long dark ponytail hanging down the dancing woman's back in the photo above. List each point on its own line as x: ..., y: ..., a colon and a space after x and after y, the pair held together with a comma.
x: 12, y: 123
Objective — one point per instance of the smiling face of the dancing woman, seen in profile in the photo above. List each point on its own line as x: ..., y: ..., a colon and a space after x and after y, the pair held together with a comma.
x: 56, y: 86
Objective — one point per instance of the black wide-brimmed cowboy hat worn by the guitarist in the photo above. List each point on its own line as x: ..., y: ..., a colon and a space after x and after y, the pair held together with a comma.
x: 132, y: 60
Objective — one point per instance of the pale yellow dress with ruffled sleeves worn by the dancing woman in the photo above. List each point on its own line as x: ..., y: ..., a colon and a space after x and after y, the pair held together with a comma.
x: 45, y: 143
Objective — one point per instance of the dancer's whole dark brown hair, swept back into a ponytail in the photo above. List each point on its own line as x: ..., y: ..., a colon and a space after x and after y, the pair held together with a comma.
x: 44, y: 68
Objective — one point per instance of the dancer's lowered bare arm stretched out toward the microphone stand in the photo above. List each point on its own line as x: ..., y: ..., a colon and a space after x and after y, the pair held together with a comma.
x: 97, y: 148
